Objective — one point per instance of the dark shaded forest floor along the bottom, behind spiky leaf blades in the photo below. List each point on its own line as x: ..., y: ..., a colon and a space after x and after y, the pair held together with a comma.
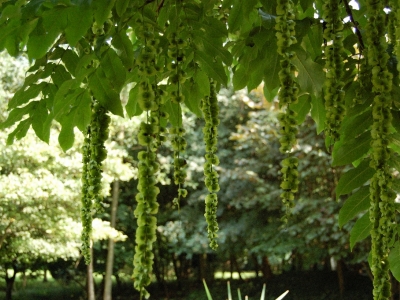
x: 313, y: 285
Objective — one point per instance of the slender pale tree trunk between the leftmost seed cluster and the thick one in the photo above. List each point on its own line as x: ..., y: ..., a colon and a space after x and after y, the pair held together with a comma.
x: 110, y: 255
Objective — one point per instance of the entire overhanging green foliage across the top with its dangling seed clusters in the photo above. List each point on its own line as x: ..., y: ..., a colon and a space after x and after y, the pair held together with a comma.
x: 323, y: 57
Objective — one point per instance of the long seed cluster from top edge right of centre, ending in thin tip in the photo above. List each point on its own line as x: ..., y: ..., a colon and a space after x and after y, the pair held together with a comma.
x: 288, y: 93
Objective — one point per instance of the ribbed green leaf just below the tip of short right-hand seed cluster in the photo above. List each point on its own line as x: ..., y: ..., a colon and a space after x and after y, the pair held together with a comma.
x: 347, y: 151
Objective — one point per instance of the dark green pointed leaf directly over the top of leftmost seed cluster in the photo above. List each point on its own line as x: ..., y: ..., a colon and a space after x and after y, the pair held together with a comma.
x: 104, y: 92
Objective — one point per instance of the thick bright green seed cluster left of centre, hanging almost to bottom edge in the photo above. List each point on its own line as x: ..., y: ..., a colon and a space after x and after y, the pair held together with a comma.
x: 150, y: 135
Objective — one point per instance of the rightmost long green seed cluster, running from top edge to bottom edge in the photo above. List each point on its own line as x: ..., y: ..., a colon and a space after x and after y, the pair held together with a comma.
x: 382, y: 196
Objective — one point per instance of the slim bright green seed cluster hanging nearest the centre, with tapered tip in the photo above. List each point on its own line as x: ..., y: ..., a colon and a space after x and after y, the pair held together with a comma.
x: 209, y: 107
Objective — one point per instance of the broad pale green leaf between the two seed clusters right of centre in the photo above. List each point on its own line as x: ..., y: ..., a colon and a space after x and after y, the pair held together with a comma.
x: 311, y: 75
